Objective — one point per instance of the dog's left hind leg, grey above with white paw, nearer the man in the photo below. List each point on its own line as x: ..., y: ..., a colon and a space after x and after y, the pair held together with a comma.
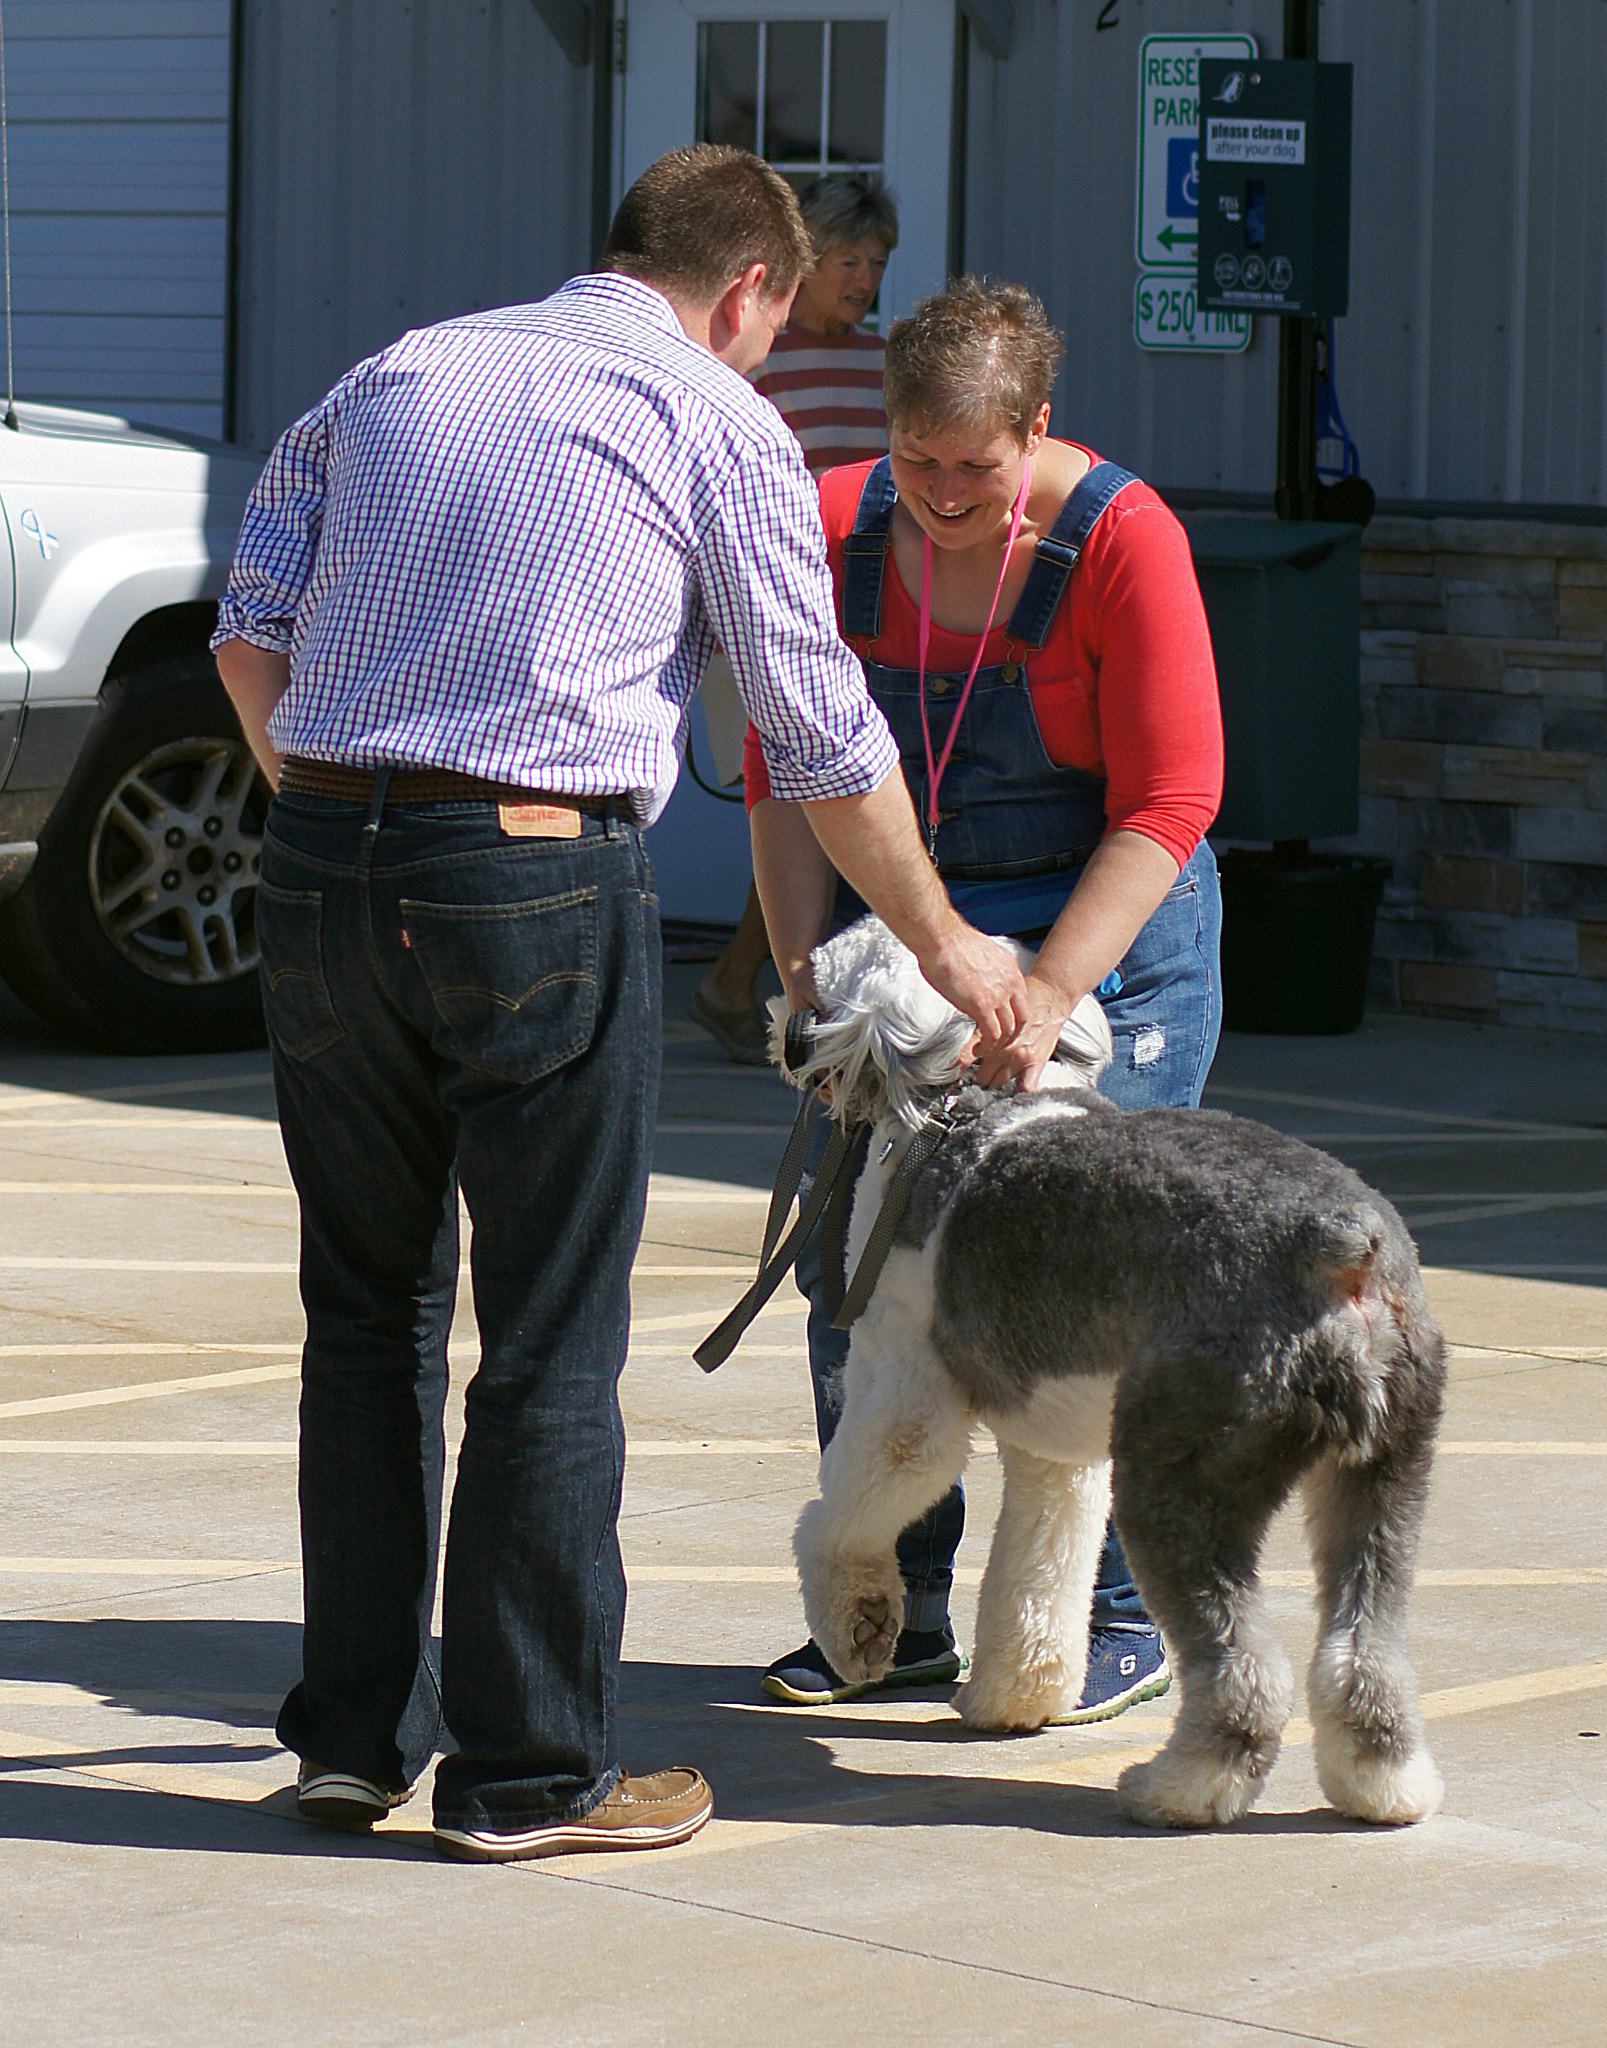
x: 1192, y: 1553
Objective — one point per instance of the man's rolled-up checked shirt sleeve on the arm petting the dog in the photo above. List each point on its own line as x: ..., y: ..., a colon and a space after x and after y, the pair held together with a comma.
x: 769, y: 595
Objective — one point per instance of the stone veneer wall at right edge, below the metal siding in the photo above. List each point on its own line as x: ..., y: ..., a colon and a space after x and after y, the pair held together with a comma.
x: 1485, y: 767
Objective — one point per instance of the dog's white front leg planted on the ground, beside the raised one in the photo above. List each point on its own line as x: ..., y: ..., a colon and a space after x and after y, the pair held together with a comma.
x: 1033, y: 1617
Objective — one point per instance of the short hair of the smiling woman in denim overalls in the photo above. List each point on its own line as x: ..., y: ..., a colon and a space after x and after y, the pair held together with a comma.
x: 971, y: 357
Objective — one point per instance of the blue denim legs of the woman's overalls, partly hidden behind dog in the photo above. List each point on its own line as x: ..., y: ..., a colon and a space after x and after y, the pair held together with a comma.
x: 1166, y: 1023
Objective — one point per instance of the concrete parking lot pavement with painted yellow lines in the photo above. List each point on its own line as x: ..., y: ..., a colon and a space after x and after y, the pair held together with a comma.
x: 873, y: 1873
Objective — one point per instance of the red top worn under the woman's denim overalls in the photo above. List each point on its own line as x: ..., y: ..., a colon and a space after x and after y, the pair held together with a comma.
x: 1125, y: 685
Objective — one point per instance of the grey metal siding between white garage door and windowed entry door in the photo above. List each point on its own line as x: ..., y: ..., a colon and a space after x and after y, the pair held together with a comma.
x: 402, y: 161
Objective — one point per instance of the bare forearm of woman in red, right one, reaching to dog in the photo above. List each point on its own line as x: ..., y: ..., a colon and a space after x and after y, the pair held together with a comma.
x: 1119, y: 894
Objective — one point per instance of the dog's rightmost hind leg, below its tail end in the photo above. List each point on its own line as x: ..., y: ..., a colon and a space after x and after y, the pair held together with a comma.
x: 1362, y: 1521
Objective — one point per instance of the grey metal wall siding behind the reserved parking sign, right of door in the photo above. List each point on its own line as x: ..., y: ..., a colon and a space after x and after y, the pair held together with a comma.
x: 1473, y: 359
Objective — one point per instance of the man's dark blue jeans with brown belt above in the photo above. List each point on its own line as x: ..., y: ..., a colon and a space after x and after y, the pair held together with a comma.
x: 449, y: 1009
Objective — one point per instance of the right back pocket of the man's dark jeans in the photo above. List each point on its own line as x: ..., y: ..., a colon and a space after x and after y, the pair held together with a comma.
x: 513, y: 984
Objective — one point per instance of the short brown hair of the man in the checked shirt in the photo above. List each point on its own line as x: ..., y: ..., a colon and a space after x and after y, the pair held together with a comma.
x: 701, y: 216
